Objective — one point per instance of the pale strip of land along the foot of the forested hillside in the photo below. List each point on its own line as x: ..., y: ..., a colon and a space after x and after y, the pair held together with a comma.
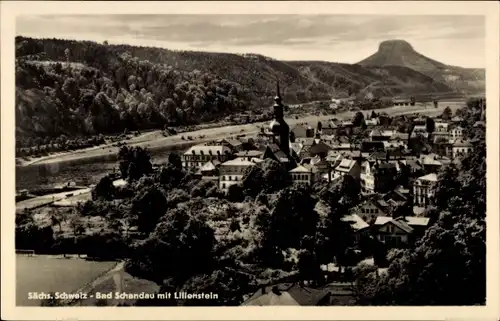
x: 155, y: 139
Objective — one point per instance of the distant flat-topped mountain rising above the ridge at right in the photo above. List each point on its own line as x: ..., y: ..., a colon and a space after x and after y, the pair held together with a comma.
x: 401, y: 53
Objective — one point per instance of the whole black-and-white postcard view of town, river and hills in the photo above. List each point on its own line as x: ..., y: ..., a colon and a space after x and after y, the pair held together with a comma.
x: 249, y: 159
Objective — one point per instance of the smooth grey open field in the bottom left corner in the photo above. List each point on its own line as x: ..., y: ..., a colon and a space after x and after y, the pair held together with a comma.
x: 54, y: 274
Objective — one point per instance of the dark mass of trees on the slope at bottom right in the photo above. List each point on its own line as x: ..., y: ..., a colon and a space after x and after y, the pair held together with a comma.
x: 447, y: 266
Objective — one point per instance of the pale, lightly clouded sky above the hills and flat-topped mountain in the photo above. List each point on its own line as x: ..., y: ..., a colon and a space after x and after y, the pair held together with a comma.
x: 451, y: 39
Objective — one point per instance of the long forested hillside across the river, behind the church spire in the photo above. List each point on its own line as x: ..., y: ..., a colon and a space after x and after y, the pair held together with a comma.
x: 82, y: 88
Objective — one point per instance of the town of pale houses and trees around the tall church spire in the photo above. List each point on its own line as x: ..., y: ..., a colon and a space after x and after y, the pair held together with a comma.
x: 376, y: 175
